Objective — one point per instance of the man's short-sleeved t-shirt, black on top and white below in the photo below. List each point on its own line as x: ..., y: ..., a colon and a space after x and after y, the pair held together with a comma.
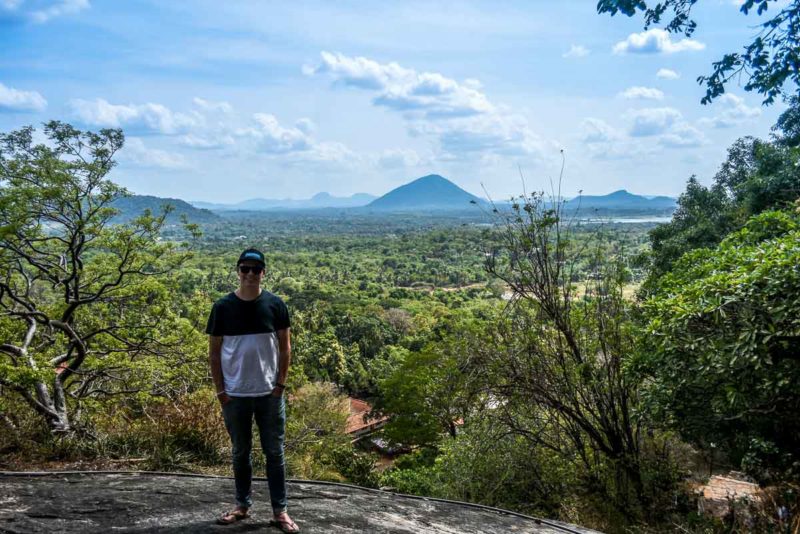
x: 249, y: 341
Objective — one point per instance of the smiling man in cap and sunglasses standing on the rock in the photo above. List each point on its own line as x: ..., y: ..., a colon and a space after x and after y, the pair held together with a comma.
x: 249, y: 353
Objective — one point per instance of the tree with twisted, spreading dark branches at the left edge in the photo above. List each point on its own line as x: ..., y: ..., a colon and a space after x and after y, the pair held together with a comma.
x: 84, y: 309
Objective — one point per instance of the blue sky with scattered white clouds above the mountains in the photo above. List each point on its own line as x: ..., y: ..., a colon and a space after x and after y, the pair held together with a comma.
x: 226, y: 101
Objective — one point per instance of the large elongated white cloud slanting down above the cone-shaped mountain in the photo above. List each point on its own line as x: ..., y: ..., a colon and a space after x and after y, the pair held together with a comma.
x: 417, y: 94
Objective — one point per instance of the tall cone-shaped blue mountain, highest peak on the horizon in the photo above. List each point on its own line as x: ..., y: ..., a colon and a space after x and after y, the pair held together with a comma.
x: 431, y: 192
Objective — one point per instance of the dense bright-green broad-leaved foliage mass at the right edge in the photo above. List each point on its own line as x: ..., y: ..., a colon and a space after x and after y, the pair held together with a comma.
x: 720, y: 360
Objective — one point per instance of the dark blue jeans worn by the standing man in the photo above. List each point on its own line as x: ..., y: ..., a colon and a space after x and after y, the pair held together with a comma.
x: 270, y: 416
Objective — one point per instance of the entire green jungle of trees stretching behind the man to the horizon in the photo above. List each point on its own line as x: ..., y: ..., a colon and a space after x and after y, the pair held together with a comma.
x: 517, y: 355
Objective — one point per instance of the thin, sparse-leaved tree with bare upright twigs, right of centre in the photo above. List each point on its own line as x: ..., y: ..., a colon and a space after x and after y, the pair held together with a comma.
x: 557, y: 376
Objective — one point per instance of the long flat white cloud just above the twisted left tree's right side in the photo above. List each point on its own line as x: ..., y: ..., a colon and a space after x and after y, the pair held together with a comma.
x: 149, y: 117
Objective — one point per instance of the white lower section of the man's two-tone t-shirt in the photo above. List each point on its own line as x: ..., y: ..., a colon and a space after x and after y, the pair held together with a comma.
x: 250, y: 364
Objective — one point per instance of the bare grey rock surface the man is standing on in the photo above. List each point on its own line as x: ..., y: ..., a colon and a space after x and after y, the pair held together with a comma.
x: 149, y: 502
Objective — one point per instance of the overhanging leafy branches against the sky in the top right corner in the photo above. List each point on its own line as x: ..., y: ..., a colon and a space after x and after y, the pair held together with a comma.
x: 769, y: 62
